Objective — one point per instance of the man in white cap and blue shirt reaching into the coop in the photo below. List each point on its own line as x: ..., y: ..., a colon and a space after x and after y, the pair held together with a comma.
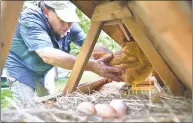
x: 39, y: 35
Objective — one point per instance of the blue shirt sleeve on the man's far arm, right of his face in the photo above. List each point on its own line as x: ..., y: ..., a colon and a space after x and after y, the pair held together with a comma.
x: 77, y: 35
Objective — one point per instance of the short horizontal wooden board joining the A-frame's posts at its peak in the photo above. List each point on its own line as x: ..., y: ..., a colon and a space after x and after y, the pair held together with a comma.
x: 111, y: 11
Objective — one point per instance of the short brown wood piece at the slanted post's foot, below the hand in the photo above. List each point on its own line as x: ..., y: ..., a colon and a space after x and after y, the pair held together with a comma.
x: 88, y: 87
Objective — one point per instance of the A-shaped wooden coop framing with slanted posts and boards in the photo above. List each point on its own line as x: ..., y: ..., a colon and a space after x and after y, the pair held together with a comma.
x: 162, y: 29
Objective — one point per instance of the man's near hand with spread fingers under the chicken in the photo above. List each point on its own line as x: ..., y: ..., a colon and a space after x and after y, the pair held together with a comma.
x: 102, y: 68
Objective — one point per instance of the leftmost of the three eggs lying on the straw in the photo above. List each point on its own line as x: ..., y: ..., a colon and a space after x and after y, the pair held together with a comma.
x: 86, y: 108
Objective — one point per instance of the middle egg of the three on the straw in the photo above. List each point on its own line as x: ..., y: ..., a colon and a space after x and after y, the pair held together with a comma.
x: 105, y: 111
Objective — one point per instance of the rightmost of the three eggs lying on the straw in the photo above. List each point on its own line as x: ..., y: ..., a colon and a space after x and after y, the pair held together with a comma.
x: 119, y: 106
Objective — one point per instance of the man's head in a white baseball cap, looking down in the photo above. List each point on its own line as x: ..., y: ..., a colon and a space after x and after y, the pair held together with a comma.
x: 60, y: 15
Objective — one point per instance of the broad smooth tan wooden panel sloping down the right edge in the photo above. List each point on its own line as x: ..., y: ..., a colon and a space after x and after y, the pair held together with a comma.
x: 170, y: 32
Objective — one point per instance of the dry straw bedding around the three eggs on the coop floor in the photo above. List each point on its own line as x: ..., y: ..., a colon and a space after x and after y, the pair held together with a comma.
x: 146, y: 107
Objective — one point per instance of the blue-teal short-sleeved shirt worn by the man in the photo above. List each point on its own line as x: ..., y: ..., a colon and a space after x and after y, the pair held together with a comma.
x: 34, y: 32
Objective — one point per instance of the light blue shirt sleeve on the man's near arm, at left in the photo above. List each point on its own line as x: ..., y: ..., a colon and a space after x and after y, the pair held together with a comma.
x: 35, y: 37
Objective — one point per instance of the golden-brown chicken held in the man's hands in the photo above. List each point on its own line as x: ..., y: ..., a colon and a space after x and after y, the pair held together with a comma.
x: 131, y: 58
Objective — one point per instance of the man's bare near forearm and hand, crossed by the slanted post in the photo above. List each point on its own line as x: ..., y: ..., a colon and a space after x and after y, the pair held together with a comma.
x: 61, y: 59
